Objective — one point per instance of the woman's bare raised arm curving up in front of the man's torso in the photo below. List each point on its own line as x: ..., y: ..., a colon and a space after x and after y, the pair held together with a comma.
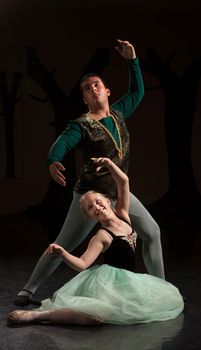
x: 122, y: 182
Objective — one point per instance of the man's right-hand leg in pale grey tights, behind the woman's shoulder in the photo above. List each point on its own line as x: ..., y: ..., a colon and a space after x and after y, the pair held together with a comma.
x: 149, y: 231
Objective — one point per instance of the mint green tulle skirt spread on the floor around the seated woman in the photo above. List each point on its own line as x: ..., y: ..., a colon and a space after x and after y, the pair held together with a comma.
x: 118, y: 296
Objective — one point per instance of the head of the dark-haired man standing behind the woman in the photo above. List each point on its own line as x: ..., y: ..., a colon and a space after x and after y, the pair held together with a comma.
x: 94, y: 92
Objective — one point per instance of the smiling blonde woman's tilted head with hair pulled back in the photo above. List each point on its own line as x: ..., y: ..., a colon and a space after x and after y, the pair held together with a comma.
x: 96, y: 206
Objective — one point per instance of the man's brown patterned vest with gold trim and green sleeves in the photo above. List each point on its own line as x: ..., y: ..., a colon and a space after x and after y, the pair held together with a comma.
x: 107, y: 137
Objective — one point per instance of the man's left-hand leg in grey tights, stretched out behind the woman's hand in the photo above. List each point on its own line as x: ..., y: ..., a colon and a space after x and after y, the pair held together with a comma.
x: 75, y: 229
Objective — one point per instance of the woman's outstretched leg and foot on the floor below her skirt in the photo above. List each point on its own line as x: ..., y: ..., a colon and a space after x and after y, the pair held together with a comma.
x: 64, y: 316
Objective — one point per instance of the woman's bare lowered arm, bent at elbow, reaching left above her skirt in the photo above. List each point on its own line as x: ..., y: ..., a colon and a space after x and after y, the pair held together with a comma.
x: 96, y: 245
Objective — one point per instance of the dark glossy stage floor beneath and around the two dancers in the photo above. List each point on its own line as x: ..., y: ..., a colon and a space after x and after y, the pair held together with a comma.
x: 17, y: 262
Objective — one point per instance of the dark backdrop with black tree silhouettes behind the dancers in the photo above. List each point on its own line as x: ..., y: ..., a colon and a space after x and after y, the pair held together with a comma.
x: 45, y: 48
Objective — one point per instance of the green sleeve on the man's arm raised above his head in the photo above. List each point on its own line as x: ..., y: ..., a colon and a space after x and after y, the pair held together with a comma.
x: 129, y: 102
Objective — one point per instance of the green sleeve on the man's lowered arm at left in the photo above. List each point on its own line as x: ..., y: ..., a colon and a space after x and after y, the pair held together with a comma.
x: 67, y: 141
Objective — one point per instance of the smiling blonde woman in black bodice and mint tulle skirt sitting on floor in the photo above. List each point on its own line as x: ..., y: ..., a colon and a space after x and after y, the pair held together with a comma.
x: 112, y: 292
